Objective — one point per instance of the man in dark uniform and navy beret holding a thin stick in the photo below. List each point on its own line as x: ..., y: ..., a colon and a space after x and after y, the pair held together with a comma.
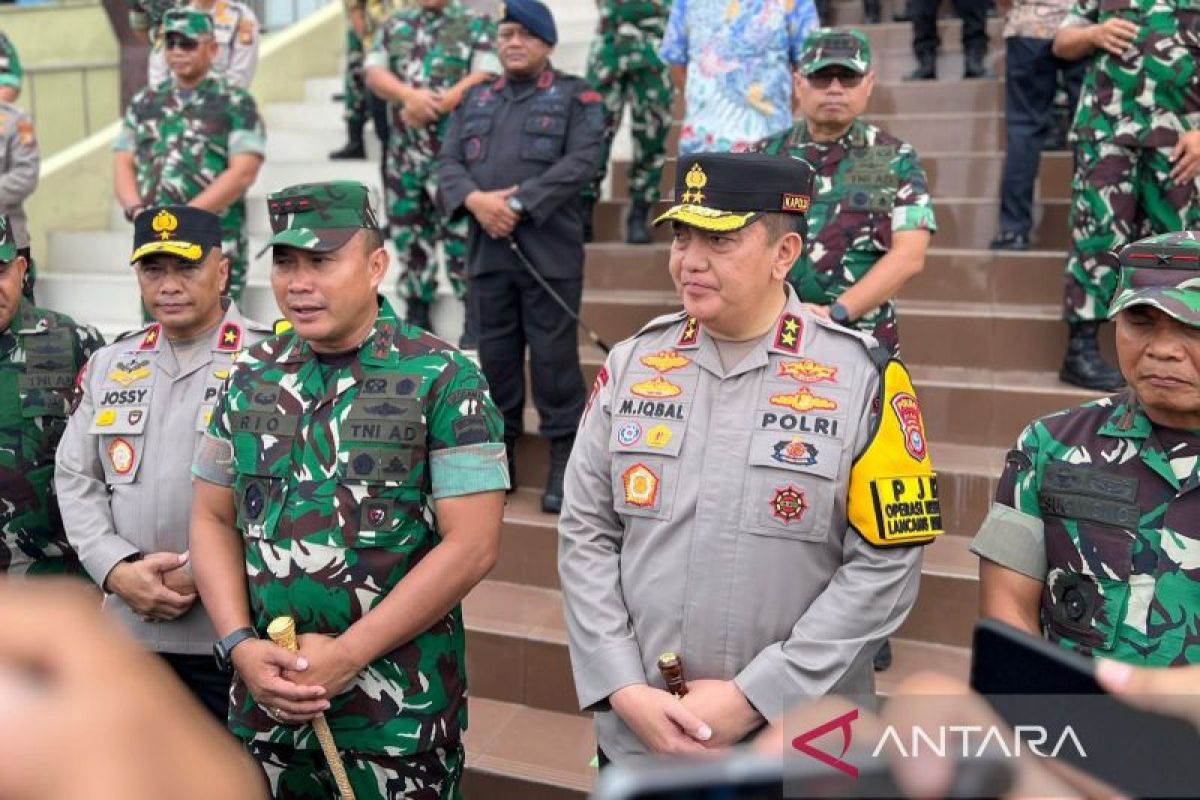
x: 518, y: 154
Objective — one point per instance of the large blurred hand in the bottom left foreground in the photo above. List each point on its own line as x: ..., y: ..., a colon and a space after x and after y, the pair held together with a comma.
x: 74, y: 682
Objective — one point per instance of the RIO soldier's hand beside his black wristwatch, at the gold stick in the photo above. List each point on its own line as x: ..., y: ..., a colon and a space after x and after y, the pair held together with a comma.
x: 265, y: 667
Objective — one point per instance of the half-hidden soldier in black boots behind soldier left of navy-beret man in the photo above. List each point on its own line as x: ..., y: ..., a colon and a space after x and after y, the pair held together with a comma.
x: 364, y: 17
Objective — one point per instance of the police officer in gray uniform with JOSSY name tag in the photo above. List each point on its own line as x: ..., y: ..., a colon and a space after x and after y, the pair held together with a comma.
x: 124, y: 466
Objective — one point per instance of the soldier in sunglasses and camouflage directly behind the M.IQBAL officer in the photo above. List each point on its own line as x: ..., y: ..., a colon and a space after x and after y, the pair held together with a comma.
x: 872, y: 213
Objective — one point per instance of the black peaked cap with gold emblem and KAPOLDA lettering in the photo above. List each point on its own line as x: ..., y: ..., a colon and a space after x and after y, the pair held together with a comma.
x: 725, y: 191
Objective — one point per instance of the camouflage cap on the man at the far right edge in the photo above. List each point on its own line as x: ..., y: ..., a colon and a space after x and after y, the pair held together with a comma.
x: 1162, y: 272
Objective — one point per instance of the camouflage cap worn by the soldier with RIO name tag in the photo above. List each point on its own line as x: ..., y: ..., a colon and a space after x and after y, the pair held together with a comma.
x: 320, y: 218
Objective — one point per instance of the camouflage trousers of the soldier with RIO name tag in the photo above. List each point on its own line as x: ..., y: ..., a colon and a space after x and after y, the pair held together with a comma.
x: 304, y: 774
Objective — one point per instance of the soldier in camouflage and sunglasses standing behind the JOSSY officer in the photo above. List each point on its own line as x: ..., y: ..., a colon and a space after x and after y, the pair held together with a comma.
x: 196, y: 141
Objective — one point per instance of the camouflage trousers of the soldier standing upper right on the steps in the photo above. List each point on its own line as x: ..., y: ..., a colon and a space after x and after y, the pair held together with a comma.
x: 1119, y: 195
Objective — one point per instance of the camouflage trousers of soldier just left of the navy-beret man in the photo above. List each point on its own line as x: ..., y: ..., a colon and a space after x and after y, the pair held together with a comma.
x: 417, y: 222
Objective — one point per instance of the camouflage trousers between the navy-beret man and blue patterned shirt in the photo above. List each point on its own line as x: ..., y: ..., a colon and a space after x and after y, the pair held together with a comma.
x: 647, y: 92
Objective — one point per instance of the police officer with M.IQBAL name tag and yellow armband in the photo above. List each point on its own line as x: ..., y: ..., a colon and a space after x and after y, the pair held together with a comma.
x: 733, y: 494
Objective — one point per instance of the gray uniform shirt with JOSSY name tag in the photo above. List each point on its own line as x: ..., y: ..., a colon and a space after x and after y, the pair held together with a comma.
x: 123, y: 470
